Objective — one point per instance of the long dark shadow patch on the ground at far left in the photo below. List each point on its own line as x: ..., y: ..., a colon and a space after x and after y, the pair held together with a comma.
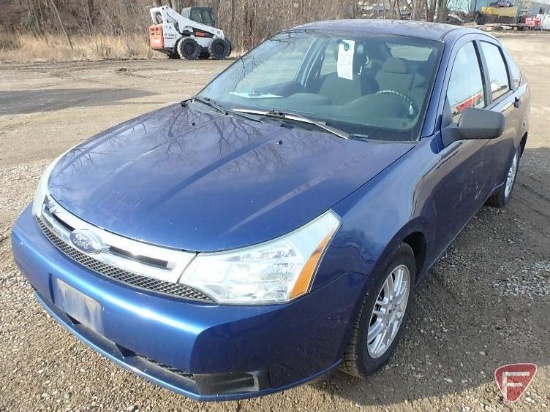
x: 31, y: 101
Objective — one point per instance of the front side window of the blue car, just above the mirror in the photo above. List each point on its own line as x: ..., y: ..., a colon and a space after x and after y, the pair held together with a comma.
x: 465, y: 85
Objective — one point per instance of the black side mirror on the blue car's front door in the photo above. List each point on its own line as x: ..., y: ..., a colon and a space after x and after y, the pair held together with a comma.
x: 474, y: 124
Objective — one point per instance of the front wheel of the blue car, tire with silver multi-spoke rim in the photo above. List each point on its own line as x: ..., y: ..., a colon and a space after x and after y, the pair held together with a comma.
x: 368, y: 349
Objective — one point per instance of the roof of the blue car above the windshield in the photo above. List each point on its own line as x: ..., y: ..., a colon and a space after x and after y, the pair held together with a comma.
x: 420, y: 29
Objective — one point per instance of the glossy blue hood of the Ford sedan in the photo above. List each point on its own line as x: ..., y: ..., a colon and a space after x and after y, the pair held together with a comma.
x: 204, y: 181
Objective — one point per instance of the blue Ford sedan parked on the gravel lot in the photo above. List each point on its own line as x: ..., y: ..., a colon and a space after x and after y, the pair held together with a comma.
x: 273, y: 227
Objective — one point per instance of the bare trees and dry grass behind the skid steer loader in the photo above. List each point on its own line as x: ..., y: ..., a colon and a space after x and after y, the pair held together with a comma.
x: 245, y: 22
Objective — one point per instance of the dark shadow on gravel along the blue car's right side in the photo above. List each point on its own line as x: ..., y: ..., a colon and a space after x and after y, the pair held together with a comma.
x: 483, y: 305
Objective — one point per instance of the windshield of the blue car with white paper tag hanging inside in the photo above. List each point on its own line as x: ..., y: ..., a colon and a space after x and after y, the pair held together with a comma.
x: 368, y: 85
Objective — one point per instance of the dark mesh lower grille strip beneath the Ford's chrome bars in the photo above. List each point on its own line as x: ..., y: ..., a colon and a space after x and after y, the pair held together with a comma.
x: 121, y: 275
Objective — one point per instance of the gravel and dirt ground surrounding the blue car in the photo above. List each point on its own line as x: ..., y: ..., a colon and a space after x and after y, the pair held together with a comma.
x: 486, y: 303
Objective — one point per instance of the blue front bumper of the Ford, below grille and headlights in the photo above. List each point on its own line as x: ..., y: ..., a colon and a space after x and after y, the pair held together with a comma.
x: 204, y: 351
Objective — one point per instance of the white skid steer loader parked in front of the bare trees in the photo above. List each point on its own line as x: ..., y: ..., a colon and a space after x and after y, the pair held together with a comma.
x: 184, y: 37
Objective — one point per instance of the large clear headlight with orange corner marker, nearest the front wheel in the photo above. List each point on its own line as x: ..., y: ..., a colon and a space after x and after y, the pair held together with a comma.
x: 273, y: 272
